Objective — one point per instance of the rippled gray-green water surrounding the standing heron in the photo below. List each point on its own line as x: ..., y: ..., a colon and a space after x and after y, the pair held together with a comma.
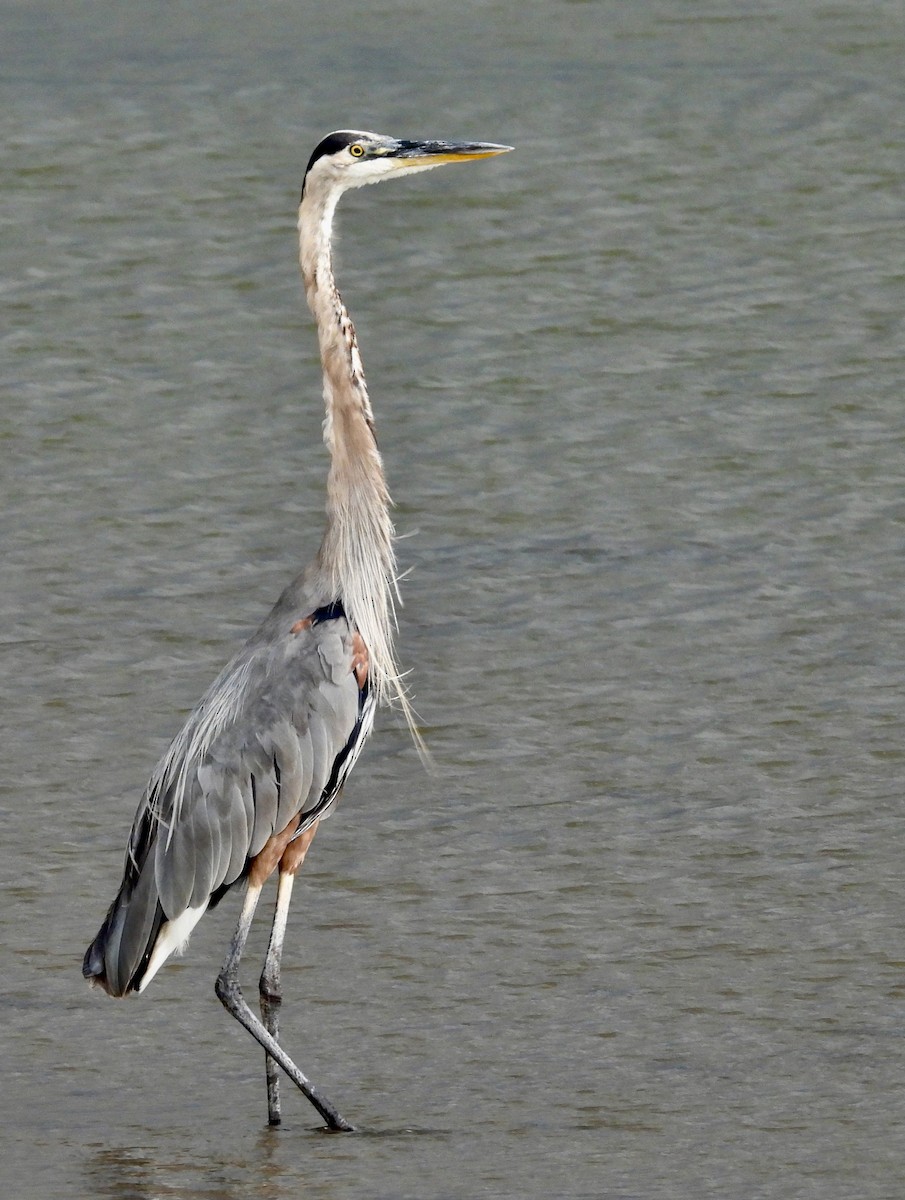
x: 640, y: 393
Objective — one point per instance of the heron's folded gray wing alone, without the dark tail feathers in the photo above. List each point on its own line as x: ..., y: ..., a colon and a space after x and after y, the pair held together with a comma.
x: 260, y: 753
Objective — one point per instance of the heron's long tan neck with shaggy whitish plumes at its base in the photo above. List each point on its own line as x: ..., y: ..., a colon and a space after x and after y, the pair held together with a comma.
x: 357, y: 557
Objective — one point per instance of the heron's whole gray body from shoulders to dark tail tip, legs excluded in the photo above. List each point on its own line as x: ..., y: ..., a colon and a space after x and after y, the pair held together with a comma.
x: 271, y: 742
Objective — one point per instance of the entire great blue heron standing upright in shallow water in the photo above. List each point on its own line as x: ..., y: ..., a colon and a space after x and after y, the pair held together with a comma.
x: 263, y: 757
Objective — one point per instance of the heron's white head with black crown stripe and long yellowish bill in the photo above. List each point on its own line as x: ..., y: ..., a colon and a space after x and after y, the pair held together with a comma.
x: 353, y: 158
